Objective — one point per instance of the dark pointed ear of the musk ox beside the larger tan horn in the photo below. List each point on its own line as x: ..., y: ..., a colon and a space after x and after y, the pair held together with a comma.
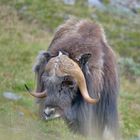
x: 84, y: 59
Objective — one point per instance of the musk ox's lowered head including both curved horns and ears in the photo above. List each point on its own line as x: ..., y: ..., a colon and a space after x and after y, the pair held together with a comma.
x: 59, y: 80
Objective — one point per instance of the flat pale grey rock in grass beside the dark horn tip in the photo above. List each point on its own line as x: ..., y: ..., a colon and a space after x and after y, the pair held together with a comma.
x: 11, y: 96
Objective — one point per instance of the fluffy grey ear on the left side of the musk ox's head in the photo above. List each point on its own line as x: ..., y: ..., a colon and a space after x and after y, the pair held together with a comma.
x: 42, y: 58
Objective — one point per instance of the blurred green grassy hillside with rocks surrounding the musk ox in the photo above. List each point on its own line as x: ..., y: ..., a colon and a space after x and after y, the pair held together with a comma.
x: 27, y: 26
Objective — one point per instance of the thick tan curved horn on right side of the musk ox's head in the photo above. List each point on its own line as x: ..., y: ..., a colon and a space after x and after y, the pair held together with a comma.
x: 68, y: 66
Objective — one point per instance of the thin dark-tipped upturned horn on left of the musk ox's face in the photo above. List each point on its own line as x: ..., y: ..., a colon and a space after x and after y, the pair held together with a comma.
x: 36, y: 94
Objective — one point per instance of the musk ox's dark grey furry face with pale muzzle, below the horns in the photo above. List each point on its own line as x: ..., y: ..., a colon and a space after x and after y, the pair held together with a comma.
x: 60, y: 93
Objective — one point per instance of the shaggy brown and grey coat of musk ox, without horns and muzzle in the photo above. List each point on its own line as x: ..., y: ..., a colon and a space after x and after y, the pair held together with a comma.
x: 77, y: 38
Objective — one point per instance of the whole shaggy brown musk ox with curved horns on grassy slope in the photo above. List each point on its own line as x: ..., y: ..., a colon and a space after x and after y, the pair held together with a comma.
x: 77, y: 80
